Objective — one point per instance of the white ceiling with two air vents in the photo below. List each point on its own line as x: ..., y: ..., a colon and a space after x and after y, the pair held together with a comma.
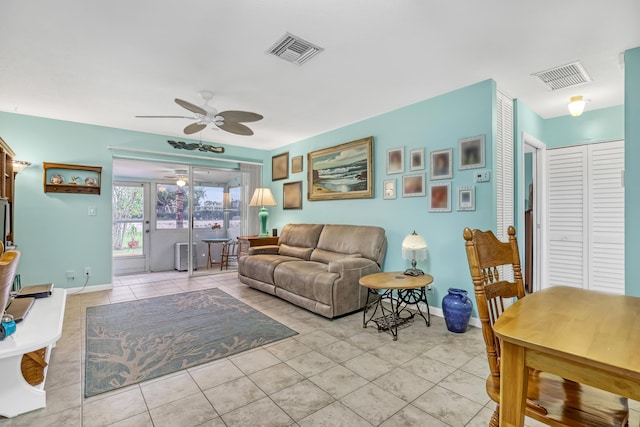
x: 105, y: 62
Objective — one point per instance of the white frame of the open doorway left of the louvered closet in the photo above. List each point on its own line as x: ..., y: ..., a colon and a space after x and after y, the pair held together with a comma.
x: 539, y: 150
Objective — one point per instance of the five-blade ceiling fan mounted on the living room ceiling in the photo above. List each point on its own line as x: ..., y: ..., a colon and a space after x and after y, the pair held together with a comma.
x: 228, y: 121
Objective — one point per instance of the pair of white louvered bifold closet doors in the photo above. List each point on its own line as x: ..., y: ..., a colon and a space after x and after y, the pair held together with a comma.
x: 585, y: 217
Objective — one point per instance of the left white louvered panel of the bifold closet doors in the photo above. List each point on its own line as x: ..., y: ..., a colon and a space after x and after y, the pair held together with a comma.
x: 567, y: 205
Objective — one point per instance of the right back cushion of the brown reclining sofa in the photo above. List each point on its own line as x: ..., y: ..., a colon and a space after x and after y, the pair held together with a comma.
x: 368, y: 241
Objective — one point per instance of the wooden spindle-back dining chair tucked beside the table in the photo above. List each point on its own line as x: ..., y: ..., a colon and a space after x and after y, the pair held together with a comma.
x: 550, y: 399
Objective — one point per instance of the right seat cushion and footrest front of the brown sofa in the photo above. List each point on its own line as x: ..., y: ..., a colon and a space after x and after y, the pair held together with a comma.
x: 308, y: 279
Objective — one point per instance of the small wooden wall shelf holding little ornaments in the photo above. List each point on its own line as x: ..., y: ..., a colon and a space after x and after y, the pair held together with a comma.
x: 59, y: 178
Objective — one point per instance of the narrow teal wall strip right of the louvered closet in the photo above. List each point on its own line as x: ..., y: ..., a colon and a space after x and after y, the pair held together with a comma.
x: 632, y: 171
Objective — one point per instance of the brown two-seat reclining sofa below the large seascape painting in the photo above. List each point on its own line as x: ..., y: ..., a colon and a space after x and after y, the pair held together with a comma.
x: 317, y: 266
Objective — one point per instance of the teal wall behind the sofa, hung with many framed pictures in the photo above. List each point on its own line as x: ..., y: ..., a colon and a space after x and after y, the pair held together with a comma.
x: 433, y: 124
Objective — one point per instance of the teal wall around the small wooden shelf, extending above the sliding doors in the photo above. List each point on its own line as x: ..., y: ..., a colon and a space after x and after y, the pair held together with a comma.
x: 54, y: 231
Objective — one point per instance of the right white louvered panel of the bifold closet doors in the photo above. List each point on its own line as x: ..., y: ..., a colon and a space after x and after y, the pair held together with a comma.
x: 606, y: 210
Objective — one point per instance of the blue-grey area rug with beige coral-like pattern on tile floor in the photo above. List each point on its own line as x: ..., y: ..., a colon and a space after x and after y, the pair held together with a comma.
x: 134, y: 341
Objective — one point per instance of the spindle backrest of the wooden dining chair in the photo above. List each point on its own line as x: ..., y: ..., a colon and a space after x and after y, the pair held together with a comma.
x: 487, y: 256
